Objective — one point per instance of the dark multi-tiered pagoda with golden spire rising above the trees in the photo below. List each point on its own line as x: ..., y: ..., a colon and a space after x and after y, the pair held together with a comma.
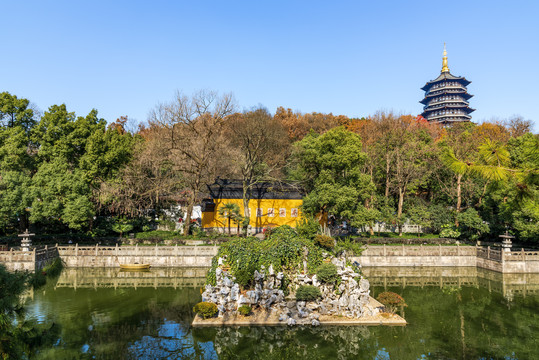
x: 446, y: 98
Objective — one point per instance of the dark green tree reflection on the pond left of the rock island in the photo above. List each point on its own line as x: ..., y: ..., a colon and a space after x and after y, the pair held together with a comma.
x: 104, y: 322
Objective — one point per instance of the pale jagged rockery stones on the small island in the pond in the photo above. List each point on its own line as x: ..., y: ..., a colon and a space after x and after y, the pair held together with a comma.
x: 349, y: 298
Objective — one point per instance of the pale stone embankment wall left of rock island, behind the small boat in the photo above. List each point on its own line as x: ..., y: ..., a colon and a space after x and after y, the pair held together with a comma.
x: 156, y: 256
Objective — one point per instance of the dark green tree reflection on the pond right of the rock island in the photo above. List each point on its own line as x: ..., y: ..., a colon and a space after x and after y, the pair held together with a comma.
x: 464, y: 323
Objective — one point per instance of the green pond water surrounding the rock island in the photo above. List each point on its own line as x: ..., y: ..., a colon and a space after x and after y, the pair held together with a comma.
x: 452, y: 314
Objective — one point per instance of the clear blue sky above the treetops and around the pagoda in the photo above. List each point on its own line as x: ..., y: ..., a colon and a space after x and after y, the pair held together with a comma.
x: 346, y: 57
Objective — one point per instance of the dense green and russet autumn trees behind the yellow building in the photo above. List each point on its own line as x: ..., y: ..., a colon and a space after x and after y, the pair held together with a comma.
x: 66, y: 173
